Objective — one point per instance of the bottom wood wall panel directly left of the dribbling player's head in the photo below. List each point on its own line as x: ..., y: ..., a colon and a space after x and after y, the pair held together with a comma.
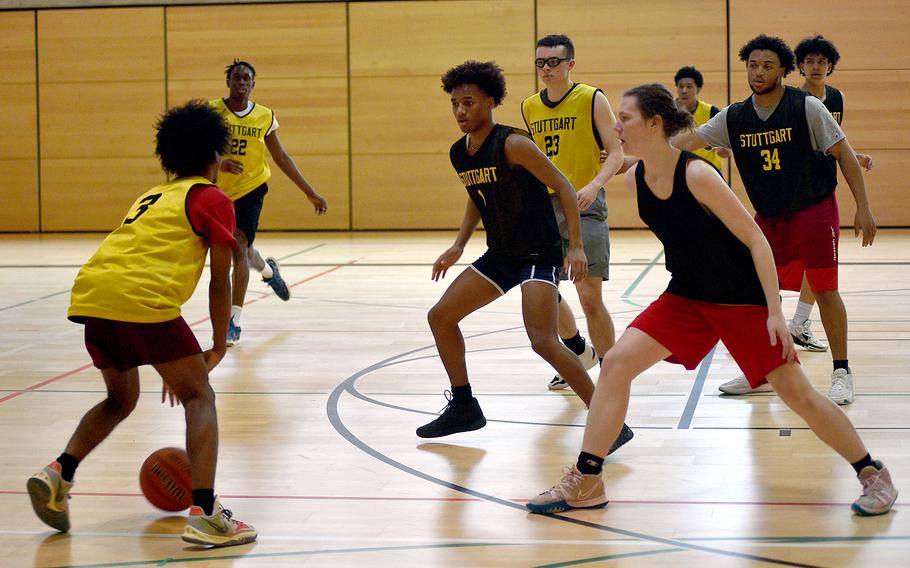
x: 93, y: 194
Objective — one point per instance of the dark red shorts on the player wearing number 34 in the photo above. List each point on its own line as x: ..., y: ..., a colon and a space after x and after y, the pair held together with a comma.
x: 805, y: 242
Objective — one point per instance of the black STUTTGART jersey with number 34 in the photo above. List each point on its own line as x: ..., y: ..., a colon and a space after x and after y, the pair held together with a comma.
x: 781, y: 171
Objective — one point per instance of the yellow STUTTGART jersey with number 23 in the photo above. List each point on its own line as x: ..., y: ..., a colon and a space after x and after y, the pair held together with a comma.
x: 565, y: 131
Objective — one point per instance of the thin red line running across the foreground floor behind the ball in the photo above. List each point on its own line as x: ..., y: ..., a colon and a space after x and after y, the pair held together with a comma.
x: 461, y: 499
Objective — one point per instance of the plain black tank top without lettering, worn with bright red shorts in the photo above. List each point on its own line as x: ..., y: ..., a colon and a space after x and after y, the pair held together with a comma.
x: 707, y: 262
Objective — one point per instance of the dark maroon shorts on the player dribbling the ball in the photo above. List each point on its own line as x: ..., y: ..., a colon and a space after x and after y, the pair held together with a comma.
x: 124, y: 345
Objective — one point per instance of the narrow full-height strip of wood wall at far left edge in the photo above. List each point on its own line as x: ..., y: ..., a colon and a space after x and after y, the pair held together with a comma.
x: 19, y: 135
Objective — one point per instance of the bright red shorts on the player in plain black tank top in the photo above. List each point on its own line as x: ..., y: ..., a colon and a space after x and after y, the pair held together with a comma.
x: 689, y: 329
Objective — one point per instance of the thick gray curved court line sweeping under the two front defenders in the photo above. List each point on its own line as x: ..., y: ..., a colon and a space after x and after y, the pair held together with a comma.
x: 335, y: 419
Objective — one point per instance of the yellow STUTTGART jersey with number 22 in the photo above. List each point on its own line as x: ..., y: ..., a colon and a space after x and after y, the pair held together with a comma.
x: 247, y: 146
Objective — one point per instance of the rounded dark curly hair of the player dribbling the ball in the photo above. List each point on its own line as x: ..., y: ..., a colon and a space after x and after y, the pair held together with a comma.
x: 188, y: 137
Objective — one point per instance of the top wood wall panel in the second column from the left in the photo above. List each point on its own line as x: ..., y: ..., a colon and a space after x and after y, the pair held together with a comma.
x: 111, y: 45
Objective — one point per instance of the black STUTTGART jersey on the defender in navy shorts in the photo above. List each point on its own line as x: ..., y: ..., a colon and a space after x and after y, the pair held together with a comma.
x: 514, y: 205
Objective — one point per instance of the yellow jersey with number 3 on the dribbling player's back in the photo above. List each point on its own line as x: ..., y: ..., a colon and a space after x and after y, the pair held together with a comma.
x: 148, y: 267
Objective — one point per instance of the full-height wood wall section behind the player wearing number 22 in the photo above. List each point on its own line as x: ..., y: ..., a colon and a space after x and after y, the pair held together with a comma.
x: 300, y: 56
